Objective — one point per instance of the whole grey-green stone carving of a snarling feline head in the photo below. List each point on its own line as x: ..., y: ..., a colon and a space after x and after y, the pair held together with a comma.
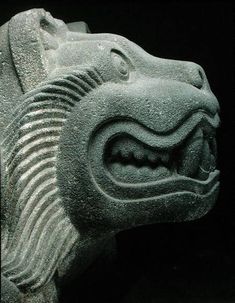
x: 97, y: 136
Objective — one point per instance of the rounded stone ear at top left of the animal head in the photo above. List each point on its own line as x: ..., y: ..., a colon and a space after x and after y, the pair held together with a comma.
x: 33, y: 36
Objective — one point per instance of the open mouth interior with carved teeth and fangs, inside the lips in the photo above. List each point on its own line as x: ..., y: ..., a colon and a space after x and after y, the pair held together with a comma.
x: 131, y: 161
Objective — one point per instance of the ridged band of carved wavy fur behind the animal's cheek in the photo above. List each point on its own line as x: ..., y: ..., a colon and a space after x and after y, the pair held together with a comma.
x: 37, y: 233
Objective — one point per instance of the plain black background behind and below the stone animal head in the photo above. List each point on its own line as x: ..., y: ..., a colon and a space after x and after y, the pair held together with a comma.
x: 190, y: 262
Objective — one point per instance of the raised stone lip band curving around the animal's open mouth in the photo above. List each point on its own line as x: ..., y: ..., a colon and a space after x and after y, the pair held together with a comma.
x: 200, y: 180
